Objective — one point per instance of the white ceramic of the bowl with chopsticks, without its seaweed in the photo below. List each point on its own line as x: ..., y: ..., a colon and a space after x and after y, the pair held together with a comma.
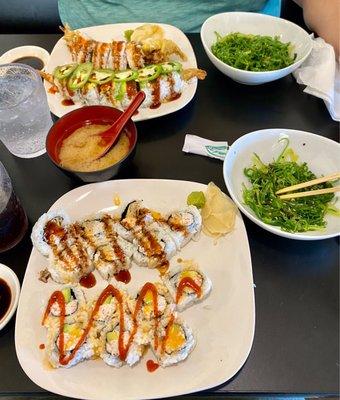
x: 322, y: 156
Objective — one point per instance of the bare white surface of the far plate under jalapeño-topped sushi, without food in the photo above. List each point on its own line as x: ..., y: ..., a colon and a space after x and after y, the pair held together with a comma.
x: 60, y: 55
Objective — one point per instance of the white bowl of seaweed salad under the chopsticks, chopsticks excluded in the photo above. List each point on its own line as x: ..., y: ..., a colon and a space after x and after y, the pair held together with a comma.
x: 260, y: 163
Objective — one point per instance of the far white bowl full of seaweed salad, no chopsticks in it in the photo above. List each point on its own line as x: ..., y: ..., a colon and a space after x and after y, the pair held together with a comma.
x: 254, y: 48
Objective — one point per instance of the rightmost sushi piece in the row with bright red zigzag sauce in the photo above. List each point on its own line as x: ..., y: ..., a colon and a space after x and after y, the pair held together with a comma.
x: 187, y: 285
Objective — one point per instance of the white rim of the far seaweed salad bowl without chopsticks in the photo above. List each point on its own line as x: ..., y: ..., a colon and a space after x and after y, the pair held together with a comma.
x: 258, y: 15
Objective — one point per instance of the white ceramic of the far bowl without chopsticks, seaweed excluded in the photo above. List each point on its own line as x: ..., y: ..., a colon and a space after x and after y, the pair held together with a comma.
x: 258, y: 24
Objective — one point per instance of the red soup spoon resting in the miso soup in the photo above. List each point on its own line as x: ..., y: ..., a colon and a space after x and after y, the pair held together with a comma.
x: 110, y: 136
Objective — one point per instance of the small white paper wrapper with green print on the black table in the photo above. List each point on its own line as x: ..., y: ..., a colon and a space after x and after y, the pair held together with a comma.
x: 204, y: 147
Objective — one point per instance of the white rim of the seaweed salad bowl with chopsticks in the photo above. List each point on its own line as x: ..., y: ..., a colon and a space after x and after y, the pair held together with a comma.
x: 242, y: 207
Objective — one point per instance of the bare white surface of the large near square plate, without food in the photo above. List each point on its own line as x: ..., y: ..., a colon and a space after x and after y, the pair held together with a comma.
x: 223, y: 324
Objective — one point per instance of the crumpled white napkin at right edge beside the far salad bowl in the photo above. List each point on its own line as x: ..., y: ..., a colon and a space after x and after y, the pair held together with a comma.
x: 320, y: 72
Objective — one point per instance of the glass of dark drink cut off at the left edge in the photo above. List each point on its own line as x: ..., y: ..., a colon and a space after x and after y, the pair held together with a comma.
x: 13, y: 219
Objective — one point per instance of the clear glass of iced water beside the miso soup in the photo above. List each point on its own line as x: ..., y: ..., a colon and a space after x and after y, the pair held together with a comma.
x: 25, y: 117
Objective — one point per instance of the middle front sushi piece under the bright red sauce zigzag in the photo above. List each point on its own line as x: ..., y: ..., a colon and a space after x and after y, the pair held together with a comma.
x: 112, y: 353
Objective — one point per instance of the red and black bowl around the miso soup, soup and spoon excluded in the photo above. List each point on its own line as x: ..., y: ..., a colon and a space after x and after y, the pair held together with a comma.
x: 74, y: 120
